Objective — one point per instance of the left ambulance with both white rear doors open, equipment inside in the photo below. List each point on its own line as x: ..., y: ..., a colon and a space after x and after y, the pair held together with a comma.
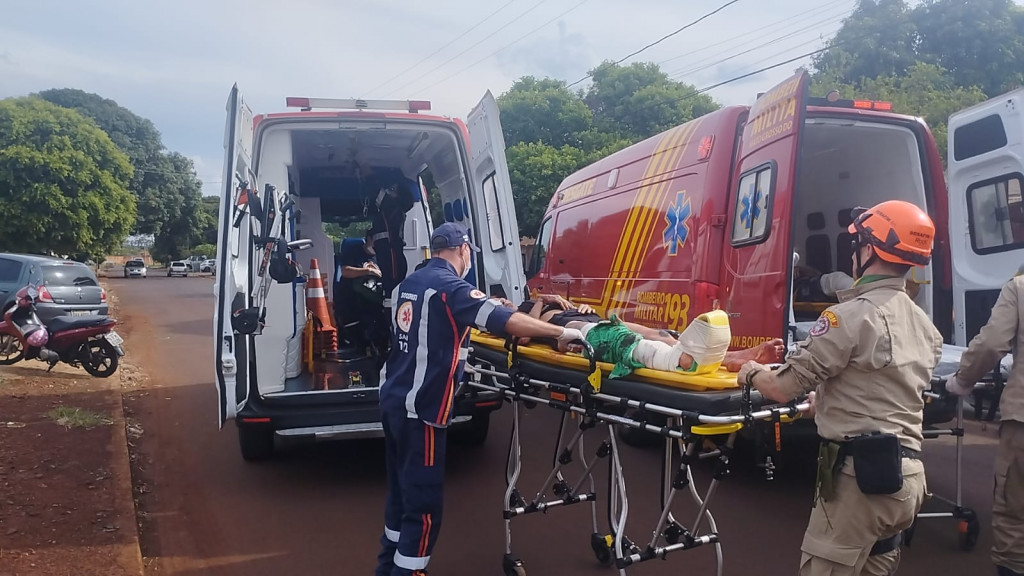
x: 335, y: 161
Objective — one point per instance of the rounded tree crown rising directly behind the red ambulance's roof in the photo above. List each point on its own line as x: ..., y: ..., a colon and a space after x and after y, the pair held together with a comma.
x: 639, y: 101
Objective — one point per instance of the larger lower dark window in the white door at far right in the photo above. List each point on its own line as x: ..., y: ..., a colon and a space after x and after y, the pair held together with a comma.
x: 996, y: 211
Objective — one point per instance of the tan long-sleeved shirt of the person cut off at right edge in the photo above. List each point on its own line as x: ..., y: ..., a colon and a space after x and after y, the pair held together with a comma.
x: 1004, y: 334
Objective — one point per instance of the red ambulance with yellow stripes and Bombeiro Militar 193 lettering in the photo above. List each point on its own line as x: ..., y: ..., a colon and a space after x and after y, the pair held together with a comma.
x: 713, y: 214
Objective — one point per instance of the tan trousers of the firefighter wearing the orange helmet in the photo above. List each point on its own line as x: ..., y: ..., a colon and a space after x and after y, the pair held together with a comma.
x: 842, y: 531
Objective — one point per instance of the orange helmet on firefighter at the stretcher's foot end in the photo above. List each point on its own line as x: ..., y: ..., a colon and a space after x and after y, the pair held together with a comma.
x: 900, y: 232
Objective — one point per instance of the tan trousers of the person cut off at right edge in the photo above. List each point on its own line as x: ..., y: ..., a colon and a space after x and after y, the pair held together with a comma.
x: 1008, y: 500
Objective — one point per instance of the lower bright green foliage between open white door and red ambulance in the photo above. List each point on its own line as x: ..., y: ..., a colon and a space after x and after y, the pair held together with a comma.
x: 536, y: 171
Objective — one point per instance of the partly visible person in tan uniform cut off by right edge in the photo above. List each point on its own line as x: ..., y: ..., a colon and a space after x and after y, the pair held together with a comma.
x: 1004, y: 334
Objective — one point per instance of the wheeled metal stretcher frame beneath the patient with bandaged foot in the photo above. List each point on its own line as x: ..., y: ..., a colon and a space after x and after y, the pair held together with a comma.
x: 686, y: 433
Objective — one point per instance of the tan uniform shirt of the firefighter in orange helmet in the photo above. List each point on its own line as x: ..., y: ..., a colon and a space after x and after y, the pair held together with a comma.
x: 871, y: 358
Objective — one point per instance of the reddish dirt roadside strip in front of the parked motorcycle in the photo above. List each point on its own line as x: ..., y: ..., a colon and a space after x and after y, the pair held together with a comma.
x: 66, y: 497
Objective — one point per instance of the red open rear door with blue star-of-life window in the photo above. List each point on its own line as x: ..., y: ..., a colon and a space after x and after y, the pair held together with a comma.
x: 758, y: 264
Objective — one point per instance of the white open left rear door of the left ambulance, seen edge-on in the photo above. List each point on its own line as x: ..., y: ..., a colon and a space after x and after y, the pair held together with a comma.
x: 233, y: 255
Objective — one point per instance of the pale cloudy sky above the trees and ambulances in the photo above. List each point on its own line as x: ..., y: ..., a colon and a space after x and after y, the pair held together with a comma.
x: 175, y: 62
